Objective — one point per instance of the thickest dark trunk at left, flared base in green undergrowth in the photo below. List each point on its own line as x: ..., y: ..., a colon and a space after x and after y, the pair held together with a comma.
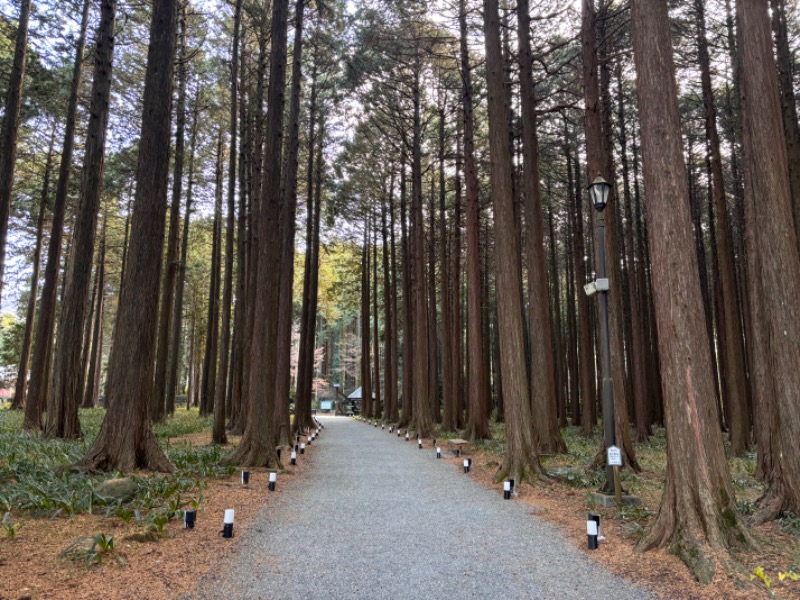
x: 126, y: 441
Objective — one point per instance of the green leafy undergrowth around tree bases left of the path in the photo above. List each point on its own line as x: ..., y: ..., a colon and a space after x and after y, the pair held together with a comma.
x: 37, y: 479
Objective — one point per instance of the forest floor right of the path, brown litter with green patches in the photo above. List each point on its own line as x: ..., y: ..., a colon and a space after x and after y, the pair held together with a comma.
x: 567, y: 497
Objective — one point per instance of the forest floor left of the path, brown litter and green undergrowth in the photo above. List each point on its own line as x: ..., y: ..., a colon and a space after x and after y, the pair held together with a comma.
x: 55, y: 531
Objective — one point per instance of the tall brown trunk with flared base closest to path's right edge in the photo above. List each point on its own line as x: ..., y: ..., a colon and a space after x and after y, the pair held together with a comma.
x: 521, y: 462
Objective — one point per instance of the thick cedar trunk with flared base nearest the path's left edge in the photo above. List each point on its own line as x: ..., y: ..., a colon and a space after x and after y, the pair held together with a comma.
x: 257, y: 447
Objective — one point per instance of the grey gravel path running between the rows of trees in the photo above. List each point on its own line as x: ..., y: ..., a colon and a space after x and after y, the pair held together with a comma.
x: 378, y: 518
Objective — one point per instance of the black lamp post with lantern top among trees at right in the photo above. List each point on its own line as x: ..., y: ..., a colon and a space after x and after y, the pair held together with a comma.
x: 598, y: 191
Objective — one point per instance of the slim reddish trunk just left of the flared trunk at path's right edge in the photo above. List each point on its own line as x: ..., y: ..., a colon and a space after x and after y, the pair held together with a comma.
x: 478, y: 421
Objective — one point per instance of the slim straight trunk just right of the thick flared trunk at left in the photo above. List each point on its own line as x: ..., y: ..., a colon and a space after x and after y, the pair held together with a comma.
x: 158, y: 404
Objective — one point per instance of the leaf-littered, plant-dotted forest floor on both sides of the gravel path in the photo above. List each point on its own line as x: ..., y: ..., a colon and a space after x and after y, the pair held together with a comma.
x: 53, y: 538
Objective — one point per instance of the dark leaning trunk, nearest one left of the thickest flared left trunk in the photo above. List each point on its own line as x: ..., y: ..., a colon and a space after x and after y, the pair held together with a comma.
x: 62, y: 417
